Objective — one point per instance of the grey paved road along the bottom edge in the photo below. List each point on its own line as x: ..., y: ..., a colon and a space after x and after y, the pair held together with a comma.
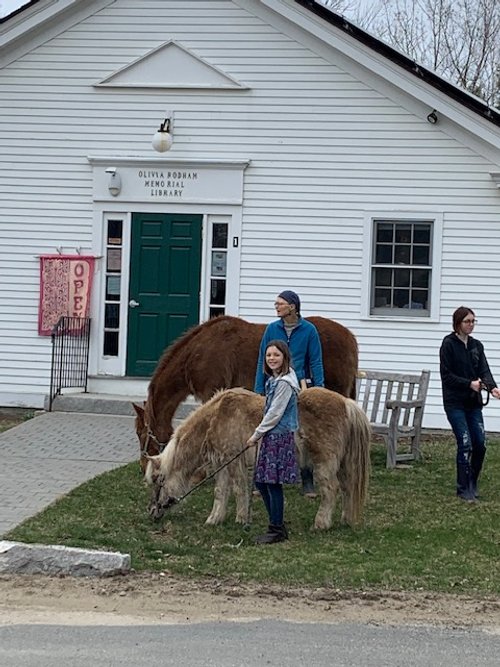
x: 257, y: 643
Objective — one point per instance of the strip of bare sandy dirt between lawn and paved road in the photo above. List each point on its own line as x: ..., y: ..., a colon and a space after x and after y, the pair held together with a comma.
x: 157, y: 598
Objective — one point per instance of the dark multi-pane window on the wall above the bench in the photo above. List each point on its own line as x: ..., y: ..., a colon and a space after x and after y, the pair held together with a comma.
x: 401, y: 267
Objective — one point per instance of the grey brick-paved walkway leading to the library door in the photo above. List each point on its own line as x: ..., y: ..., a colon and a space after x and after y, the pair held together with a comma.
x: 47, y: 456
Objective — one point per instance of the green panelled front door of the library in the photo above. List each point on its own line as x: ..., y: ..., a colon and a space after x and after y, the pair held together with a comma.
x: 165, y: 263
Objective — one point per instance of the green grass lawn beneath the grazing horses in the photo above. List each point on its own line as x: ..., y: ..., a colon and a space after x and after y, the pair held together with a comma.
x: 416, y: 534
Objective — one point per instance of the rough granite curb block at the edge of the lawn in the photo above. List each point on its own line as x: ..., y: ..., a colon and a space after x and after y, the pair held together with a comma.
x: 20, y: 558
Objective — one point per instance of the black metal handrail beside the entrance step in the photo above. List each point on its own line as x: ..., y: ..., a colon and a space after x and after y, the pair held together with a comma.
x: 70, y: 355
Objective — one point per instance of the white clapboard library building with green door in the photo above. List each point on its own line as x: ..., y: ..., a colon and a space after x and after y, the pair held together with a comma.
x: 305, y: 154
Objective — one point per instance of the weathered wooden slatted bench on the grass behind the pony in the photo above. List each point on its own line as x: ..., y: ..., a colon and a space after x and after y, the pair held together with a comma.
x: 394, y: 403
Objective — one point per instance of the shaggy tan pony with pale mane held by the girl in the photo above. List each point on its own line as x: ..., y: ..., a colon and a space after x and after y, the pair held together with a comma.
x: 334, y: 433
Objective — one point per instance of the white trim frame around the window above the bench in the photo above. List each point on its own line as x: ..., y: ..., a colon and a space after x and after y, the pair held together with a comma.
x: 435, y: 288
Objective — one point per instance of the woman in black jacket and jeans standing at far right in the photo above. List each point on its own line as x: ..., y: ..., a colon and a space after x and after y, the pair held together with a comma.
x: 464, y: 372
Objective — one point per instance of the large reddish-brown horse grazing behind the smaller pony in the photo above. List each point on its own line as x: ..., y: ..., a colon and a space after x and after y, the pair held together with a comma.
x: 223, y: 353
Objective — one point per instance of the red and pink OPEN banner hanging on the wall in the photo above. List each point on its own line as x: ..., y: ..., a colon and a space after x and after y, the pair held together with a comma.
x: 65, y: 287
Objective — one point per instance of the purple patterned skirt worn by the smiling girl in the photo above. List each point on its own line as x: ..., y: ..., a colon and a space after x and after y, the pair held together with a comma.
x: 277, y: 462
